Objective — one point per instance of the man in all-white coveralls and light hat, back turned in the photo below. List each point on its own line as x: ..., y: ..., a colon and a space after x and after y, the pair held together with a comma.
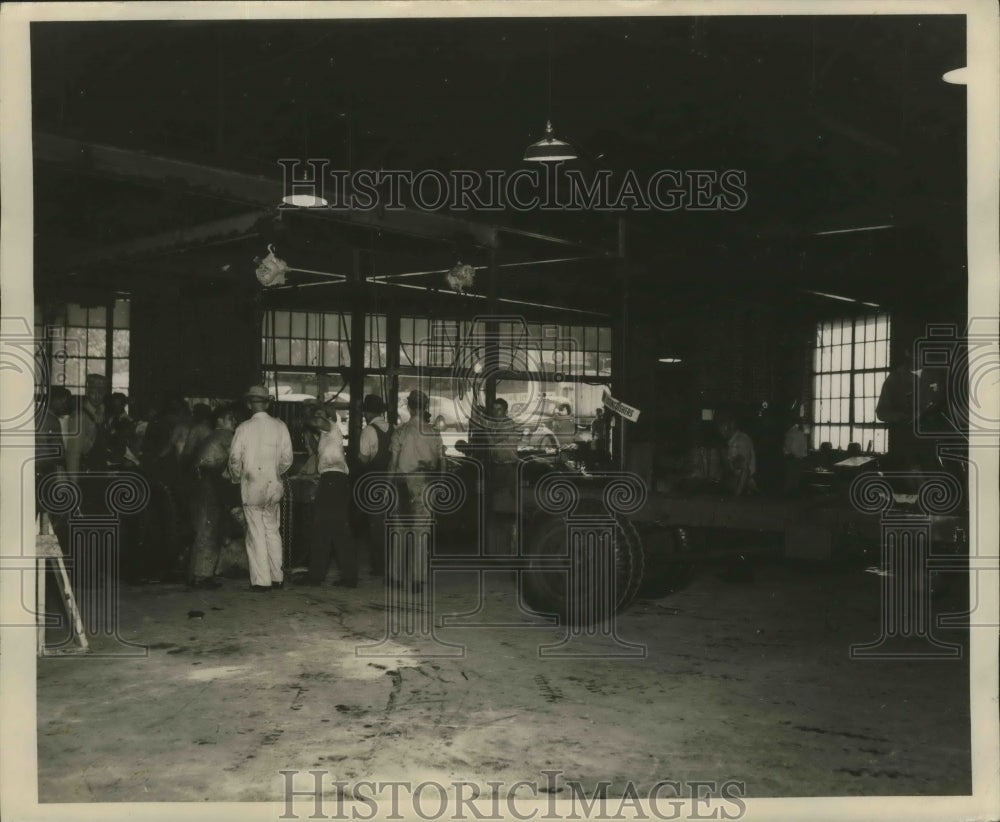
x: 260, y: 453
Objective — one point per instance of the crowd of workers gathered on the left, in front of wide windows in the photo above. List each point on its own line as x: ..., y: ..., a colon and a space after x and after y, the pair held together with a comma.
x: 216, y: 473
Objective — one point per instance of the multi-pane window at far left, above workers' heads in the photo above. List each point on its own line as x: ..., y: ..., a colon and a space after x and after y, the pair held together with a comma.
x: 85, y: 340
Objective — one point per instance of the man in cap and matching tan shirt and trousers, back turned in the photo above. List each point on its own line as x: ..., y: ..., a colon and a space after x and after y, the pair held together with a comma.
x: 415, y: 450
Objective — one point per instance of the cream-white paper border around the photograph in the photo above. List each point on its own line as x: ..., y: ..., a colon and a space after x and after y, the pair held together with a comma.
x: 18, y: 766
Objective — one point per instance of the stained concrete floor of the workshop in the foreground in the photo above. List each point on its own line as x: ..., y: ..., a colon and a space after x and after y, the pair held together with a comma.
x: 748, y: 681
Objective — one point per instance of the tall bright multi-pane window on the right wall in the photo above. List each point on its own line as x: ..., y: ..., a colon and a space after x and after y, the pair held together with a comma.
x: 850, y: 363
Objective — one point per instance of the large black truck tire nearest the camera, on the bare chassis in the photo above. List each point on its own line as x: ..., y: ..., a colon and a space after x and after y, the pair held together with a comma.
x: 546, y: 590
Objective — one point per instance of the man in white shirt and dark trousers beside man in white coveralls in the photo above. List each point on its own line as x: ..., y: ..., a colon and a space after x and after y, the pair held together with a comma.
x: 332, y: 506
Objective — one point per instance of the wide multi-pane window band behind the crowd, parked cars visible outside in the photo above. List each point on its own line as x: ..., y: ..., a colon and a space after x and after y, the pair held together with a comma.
x: 552, y: 374
